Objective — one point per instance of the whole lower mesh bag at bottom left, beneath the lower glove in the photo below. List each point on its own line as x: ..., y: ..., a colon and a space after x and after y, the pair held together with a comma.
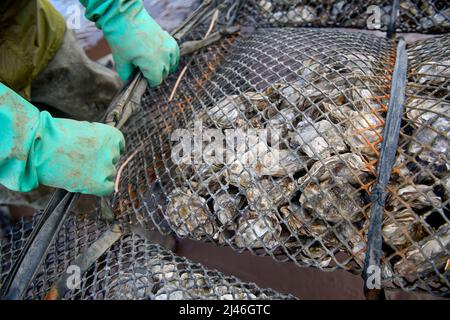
x: 131, y: 269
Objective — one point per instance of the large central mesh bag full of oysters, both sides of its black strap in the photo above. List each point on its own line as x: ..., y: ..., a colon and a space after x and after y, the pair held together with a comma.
x: 302, y: 194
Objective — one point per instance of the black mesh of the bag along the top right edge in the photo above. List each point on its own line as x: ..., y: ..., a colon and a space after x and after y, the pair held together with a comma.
x: 414, y: 15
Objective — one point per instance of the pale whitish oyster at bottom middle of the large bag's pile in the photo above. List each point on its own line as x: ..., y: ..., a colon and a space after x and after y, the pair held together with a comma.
x: 258, y: 230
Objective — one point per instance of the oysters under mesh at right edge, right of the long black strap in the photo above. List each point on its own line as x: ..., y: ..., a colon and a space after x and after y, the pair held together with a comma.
x: 420, y: 201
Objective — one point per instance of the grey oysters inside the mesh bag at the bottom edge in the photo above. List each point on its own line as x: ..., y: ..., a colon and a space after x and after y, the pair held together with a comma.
x: 161, y: 278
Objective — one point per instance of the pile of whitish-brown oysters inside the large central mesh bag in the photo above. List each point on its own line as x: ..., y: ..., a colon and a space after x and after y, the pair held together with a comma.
x: 306, y: 191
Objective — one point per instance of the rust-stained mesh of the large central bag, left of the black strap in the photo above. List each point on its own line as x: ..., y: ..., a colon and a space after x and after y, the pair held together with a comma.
x: 241, y: 204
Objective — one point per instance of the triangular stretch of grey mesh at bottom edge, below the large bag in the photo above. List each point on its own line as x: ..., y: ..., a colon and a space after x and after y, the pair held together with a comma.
x: 136, y: 270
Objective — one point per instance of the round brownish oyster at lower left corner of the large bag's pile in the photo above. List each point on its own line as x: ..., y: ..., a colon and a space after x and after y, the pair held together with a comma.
x: 187, y: 213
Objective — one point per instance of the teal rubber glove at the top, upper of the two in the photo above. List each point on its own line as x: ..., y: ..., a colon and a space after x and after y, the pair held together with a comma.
x: 136, y: 40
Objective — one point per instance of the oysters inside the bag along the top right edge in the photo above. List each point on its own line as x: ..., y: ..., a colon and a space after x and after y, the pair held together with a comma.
x: 427, y: 16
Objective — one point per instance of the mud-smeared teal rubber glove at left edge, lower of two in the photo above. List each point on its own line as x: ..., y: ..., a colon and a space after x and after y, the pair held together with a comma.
x: 38, y: 149
